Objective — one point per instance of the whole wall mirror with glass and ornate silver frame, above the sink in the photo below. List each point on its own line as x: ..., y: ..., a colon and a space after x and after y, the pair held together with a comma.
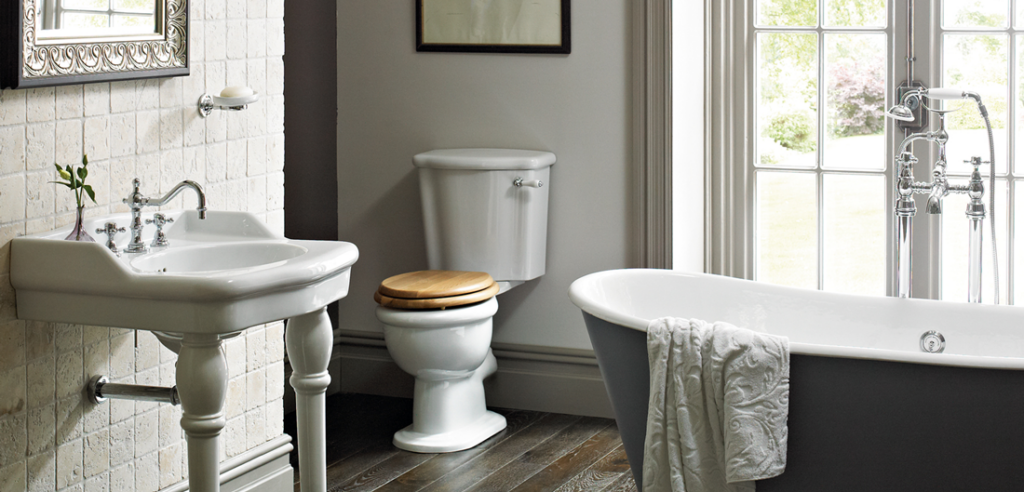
x: 59, y: 43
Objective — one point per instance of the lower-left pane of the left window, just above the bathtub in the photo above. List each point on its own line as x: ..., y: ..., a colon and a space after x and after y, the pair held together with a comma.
x: 787, y: 235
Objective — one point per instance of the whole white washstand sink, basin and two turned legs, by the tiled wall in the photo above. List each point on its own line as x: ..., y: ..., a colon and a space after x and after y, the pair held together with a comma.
x: 219, y: 277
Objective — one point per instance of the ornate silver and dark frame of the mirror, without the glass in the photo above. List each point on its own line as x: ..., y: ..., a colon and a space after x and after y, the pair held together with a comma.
x: 26, y: 61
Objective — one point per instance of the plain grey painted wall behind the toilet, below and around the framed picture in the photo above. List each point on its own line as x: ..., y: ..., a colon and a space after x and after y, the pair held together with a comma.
x: 395, y: 103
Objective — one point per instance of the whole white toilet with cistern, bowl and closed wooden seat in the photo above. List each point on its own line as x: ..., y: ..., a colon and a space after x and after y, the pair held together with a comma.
x: 486, y: 215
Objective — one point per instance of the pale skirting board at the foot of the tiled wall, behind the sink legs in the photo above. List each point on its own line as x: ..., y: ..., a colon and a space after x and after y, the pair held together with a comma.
x: 264, y: 469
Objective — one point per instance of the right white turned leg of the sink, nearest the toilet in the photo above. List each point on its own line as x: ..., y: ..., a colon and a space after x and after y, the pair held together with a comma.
x: 310, y: 340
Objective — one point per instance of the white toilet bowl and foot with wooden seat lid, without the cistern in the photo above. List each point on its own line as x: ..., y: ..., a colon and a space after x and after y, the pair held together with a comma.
x: 442, y: 337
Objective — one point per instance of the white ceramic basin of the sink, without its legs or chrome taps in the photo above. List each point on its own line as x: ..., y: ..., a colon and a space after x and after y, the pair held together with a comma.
x: 220, y: 275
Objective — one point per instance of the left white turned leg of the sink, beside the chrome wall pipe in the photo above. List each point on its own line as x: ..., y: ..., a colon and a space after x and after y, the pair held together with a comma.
x: 202, y: 382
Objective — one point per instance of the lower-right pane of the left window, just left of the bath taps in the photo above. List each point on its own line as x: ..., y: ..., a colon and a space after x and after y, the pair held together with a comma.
x: 855, y: 234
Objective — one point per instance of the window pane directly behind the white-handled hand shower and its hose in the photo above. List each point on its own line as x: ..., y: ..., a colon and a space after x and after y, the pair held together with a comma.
x: 976, y: 63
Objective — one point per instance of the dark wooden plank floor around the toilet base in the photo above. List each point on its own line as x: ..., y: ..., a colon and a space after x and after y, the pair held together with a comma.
x: 537, y: 453
